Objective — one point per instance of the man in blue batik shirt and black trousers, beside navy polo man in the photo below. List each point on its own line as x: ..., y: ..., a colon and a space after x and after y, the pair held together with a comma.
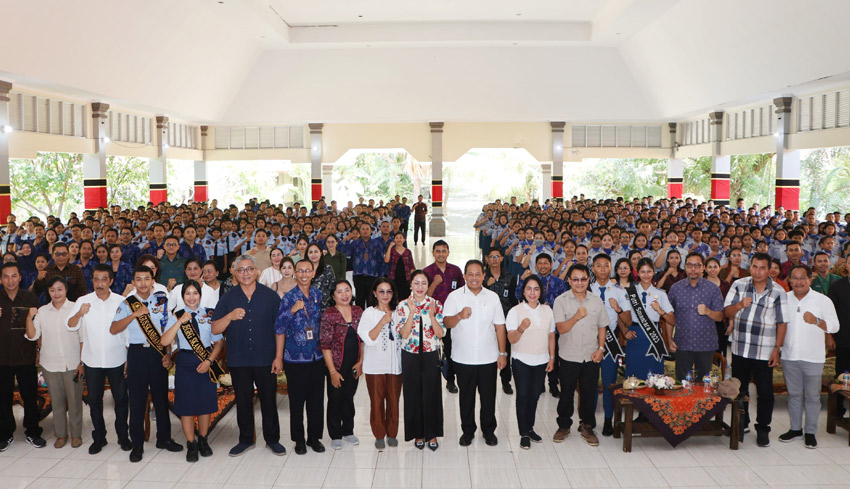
x: 299, y: 320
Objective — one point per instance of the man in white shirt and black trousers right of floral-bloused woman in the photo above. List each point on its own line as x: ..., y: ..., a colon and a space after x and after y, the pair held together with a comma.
x: 477, y: 321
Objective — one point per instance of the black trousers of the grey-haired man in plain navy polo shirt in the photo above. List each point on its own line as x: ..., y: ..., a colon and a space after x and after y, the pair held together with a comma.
x: 244, y: 380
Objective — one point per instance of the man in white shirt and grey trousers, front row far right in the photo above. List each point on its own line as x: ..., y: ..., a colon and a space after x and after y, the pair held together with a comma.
x: 811, y: 315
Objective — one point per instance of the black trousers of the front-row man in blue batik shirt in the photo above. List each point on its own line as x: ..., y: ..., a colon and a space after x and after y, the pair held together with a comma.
x: 306, y: 386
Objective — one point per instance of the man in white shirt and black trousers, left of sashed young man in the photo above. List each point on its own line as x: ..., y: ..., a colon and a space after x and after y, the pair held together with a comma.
x: 103, y: 356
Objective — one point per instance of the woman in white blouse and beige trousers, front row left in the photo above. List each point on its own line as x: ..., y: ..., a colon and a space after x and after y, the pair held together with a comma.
x: 60, y: 362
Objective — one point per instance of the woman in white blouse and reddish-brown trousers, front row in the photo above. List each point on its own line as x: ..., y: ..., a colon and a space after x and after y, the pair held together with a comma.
x: 382, y: 362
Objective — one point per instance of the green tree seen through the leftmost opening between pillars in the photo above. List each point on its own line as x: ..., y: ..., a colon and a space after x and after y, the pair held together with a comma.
x: 51, y: 184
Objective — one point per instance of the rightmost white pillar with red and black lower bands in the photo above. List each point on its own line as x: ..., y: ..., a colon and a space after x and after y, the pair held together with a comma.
x: 787, y: 162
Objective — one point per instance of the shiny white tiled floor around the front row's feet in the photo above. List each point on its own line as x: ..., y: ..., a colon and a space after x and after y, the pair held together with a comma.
x: 700, y: 462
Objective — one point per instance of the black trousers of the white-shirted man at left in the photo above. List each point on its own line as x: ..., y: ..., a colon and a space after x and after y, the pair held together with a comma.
x: 95, y: 382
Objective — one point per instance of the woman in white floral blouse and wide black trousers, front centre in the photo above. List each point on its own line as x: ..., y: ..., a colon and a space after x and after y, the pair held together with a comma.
x: 419, y: 322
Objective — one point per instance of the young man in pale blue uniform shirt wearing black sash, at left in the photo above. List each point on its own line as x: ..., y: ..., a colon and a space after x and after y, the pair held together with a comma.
x: 147, y: 362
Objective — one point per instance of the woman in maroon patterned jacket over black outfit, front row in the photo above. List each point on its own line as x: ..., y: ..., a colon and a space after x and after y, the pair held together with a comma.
x: 343, y: 354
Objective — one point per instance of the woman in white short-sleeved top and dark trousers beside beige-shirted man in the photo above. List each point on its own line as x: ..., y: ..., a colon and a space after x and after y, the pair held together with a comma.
x: 531, y: 332
